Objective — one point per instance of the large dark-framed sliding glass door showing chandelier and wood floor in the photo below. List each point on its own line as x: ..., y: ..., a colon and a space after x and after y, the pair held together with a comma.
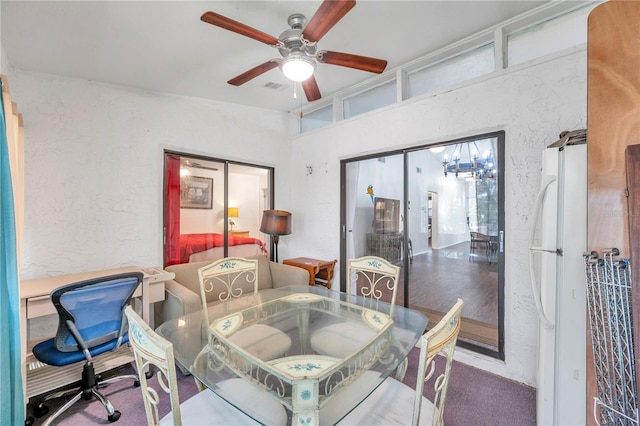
x: 437, y: 212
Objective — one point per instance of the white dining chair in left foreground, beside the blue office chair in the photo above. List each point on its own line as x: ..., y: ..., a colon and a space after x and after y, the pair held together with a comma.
x: 205, y: 407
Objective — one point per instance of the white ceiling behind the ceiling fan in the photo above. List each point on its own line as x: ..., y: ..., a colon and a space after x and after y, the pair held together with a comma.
x: 163, y: 46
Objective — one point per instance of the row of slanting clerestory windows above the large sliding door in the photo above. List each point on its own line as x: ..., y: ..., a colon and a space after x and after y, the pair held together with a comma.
x: 566, y: 29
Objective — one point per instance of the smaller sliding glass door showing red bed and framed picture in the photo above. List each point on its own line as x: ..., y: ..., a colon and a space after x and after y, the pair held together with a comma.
x: 213, y: 208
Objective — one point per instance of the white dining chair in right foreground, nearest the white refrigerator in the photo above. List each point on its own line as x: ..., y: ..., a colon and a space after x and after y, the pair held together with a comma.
x: 393, y: 402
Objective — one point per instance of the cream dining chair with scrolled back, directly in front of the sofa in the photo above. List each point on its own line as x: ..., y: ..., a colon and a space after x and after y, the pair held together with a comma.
x: 232, y: 278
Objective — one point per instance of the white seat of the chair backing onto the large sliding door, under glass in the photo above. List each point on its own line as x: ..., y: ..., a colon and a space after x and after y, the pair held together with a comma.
x: 341, y: 339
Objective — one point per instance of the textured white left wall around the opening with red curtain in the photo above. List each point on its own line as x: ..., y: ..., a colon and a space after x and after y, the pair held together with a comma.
x: 94, y: 166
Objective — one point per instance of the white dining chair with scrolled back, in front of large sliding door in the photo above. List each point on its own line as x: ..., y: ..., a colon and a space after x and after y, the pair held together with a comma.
x: 376, y: 280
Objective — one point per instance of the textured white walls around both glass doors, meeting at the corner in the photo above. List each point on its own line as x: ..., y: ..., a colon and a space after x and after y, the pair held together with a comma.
x: 94, y: 168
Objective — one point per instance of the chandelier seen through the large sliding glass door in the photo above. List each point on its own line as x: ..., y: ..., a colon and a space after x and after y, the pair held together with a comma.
x: 474, y: 165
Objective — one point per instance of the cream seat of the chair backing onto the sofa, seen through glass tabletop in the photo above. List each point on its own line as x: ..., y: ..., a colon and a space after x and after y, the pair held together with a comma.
x: 262, y: 341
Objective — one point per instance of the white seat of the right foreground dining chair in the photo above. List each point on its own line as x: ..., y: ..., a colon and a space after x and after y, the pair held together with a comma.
x: 390, y: 404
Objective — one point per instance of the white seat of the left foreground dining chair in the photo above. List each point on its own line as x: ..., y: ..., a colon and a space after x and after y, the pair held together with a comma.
x: 207, y: 408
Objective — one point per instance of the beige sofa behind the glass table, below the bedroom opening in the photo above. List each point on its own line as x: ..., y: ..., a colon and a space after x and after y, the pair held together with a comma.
x: 182, y: 294
